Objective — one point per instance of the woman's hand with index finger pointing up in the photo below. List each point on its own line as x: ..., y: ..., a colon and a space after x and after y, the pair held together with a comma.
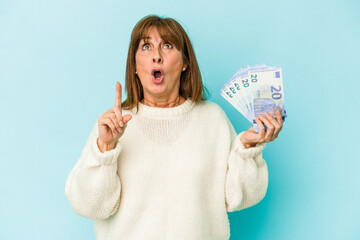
x: 112, y: 124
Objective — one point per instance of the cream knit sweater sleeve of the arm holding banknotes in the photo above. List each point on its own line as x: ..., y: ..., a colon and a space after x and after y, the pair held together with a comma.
x: 247, y: 175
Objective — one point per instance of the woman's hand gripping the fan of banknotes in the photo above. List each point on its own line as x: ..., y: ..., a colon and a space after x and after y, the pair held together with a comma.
x: 250, y: 138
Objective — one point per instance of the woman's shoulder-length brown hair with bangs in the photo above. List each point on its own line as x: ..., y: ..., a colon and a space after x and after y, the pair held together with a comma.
x: 191, y: 85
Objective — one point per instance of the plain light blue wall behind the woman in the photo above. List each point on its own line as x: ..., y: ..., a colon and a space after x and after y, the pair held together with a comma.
x: 59, y: 61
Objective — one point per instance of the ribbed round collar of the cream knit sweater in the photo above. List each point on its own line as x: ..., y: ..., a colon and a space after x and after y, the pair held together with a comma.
x: 156, y: 112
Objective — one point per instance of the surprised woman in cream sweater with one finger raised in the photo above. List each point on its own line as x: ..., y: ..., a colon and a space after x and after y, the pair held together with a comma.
x: 166, y: 164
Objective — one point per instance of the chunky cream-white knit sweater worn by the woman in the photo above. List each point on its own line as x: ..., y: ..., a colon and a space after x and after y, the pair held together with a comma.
x: 173, y: 175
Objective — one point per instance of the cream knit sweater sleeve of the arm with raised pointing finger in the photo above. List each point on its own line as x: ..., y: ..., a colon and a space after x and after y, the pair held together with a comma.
x: 93, y: 186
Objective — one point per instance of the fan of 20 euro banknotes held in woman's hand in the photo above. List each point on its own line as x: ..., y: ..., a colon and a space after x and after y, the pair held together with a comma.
x: 255, y: 90
